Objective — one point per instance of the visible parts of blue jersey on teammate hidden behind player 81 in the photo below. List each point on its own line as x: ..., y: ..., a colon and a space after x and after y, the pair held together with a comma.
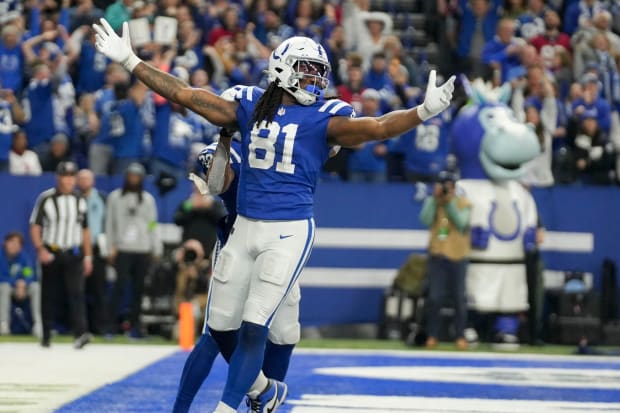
x: 230, y: 196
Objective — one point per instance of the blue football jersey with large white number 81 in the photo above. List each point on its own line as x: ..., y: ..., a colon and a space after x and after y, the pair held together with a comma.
x: 282, y: 160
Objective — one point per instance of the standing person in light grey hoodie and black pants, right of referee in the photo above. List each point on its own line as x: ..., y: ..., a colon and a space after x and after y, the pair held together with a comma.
x: 133, y: 241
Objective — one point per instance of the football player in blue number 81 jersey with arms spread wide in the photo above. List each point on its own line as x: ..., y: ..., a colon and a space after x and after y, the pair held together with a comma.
x: 286, y: 132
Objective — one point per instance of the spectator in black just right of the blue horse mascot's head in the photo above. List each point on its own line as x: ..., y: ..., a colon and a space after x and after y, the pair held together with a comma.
x: 594, y: 155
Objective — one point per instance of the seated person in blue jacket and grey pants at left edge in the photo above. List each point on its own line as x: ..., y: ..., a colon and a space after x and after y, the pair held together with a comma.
x: 18, y: 280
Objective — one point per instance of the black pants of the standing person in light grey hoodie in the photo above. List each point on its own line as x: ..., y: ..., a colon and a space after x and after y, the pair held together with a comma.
x: 131, y: 270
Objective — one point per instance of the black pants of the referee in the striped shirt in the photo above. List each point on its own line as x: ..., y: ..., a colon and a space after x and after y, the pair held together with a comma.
x: 63, y: 274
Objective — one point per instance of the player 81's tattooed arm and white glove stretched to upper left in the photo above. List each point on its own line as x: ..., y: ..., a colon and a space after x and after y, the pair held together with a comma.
x: 213, y: 108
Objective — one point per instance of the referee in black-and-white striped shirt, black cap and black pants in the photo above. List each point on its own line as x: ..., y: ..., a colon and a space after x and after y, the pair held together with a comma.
x: 59, y: 232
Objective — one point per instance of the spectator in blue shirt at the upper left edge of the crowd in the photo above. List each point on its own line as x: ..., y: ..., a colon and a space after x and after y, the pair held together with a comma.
x: 11, y: 59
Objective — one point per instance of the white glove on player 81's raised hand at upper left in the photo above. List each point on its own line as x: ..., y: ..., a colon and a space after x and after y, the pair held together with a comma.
x: 114, y: 47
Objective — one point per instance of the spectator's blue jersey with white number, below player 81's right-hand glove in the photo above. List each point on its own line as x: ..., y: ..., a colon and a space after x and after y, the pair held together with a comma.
x: 427, y: 146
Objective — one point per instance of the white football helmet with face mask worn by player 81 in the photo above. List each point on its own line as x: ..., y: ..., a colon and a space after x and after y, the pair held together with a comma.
x: 300, y: 59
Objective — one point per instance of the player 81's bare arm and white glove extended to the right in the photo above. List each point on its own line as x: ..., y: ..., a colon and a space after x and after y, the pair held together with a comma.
x: 349, y: 132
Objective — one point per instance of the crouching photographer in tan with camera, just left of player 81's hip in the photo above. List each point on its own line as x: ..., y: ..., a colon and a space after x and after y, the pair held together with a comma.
x: 192, y: 275
